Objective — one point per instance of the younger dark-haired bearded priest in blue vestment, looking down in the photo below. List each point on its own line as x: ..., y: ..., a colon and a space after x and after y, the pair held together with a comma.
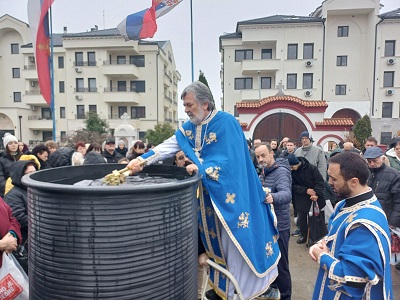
x: 354, y: 257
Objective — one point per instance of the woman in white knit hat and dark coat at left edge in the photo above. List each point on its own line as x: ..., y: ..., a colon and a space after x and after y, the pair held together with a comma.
x: 11, y: 155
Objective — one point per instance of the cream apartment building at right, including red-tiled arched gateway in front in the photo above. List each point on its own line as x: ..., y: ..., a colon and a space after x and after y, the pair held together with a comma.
x: 319, y: 73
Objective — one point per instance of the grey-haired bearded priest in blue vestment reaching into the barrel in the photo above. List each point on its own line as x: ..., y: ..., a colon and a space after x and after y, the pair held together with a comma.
x: 237, y: 226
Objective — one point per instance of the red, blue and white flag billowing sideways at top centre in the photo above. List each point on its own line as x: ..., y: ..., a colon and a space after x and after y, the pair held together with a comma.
x: 143, y: 24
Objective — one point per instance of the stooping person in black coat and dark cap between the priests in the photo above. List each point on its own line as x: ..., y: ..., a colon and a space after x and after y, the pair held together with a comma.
x: 307, y: 186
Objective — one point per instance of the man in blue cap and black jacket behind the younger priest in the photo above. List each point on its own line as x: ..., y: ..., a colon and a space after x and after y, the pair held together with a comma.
x: 385, y: 182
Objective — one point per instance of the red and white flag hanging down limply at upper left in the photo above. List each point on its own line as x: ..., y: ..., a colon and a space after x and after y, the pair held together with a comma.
x: 39, y: 24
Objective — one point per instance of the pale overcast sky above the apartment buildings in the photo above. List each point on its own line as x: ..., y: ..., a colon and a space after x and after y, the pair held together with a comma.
x: 211, y: 18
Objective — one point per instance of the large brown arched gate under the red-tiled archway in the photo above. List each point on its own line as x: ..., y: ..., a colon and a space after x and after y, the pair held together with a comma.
x: 279, y: 125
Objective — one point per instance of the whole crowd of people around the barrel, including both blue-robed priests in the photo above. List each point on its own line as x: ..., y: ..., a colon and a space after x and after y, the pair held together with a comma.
x: 244, y: 200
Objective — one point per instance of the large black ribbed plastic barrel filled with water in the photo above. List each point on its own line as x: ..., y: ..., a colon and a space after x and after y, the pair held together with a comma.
x: 107, y: 242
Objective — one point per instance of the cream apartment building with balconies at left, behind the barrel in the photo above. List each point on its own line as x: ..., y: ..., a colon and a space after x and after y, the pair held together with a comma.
x: 93, y: 71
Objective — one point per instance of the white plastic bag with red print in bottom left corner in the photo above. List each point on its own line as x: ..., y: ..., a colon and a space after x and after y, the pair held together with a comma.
x: 13, y: 280
